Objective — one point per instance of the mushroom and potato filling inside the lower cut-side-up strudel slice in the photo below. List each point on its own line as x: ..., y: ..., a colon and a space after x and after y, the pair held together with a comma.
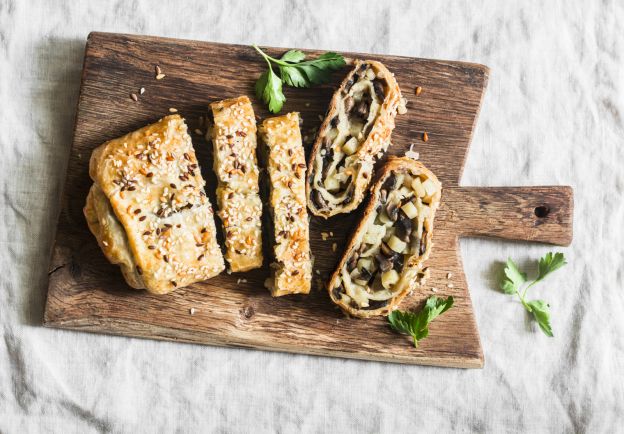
x: 391, y: 236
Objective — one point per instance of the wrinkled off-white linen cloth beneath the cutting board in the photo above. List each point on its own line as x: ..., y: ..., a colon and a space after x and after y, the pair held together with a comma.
x: 553, y: 114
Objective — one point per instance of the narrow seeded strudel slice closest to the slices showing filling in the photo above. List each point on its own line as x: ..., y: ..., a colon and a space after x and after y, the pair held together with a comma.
x: 292, y: 269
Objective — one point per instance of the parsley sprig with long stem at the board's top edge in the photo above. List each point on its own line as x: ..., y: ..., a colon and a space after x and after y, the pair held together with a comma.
x: 295, y: 72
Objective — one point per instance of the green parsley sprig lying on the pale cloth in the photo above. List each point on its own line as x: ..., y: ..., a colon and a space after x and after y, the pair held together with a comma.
x: 515, y: 279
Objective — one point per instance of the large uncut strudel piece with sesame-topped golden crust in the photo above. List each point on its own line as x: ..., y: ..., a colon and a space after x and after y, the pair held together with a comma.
x: 155, y: 191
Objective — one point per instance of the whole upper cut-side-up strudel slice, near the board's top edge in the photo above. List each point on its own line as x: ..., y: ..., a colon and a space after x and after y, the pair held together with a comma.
x: 357, y: 127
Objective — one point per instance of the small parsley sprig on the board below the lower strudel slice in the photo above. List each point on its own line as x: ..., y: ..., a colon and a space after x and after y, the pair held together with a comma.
x: 417, y: 324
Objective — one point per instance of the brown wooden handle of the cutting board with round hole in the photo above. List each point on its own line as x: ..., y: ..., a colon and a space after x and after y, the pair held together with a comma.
x: 542, y: 214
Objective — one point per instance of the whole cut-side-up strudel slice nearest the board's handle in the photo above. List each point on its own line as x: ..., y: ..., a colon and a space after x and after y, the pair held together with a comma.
x: 372, y: 255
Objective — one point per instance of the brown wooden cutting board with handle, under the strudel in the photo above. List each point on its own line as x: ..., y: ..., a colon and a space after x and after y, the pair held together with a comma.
x: 87, y: 293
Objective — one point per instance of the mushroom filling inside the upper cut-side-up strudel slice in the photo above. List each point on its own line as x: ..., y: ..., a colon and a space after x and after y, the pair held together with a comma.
x: 336, y: 165
